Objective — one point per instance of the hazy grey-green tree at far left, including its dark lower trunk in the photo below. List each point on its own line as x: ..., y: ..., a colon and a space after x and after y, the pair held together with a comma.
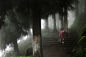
x: 13, y: 27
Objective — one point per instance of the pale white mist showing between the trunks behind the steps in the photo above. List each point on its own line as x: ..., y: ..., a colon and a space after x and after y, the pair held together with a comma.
x: 71, y: 18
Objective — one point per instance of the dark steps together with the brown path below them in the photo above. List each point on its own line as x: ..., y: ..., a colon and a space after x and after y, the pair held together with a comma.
x: 52, y: 48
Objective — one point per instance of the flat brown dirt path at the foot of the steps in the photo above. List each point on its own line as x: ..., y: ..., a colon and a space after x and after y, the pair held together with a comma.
x: 54, y: 51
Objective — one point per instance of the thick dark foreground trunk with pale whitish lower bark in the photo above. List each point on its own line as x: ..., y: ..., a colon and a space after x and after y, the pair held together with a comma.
x: 37, y: 40
